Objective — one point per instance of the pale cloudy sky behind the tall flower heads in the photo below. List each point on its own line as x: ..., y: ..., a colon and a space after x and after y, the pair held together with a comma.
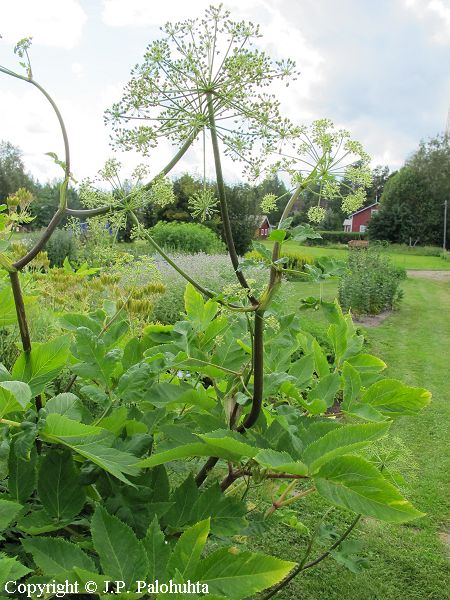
x: 380, y: 68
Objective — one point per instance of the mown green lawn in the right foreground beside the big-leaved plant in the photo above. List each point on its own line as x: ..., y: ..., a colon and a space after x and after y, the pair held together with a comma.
x: 408, y: 562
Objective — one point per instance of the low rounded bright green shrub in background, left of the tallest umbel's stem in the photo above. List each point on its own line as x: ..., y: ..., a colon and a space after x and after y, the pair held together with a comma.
x: 187, y: 237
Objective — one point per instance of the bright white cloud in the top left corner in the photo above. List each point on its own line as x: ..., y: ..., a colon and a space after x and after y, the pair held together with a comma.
x: 57, y: 23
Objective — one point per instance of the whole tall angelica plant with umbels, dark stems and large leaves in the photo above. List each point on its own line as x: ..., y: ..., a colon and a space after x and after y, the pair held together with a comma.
x: 236, y: 379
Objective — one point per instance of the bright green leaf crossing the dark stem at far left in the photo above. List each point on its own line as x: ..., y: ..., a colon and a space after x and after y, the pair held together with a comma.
x: 42, y: 364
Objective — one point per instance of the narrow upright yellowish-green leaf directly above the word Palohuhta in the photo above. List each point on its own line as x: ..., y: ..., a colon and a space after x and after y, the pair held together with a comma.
x: 188, y: 549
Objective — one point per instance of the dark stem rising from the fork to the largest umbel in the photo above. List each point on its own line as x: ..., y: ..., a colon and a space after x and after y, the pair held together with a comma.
x: 223, y: 202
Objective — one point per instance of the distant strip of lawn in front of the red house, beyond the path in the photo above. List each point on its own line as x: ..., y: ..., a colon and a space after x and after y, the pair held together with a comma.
x: 408, y: 261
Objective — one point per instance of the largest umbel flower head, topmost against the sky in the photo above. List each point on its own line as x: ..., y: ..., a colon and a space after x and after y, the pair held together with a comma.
x: 197, y: 67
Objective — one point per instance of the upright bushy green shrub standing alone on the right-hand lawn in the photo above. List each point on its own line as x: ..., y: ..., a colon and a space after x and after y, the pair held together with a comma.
x: 371, y: 283
